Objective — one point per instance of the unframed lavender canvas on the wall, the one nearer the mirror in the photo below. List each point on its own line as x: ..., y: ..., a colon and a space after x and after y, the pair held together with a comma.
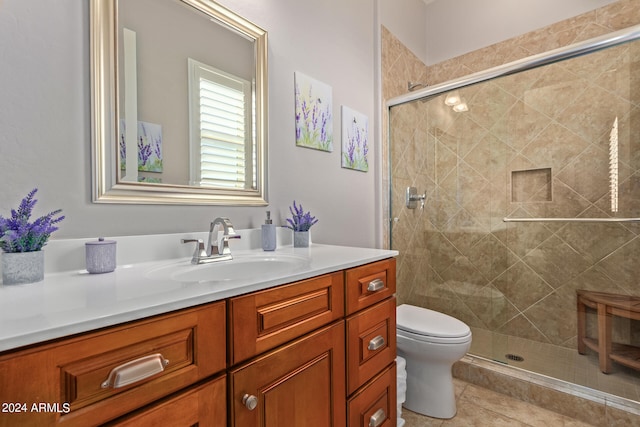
x: 314, y: 106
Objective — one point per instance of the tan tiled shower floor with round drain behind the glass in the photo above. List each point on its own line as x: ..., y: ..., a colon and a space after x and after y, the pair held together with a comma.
x: 557, y: 362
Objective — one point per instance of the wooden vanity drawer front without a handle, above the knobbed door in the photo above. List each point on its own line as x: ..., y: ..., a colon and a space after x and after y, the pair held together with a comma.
x: 263, y: 320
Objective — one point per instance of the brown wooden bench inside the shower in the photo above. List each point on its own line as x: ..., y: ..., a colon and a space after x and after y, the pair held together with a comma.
x: 607, y: 306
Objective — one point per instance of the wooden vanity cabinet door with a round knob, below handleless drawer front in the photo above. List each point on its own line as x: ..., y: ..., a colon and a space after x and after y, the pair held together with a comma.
x: 300, y: 384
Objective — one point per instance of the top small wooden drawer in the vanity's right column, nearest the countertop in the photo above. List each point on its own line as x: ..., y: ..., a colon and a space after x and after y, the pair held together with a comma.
x: 369, y: 284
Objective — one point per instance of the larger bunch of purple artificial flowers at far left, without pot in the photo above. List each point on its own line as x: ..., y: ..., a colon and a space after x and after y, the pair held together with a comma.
x: 17, y: 234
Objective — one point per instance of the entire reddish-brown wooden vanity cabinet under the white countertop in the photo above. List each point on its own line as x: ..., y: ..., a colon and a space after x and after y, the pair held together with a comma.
x: 318, y: 352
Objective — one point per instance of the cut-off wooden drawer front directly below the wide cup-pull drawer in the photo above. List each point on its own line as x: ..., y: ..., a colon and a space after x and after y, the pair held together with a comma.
x: 203, y: 406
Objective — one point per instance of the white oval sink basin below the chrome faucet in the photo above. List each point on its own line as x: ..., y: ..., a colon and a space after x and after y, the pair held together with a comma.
x: 239, y: 268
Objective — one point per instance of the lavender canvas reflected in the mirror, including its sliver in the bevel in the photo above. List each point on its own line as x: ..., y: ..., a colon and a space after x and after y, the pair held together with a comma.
x: 149, y: 147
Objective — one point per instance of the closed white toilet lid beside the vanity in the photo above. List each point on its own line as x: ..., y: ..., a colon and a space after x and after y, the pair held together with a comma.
x: 423, y: 321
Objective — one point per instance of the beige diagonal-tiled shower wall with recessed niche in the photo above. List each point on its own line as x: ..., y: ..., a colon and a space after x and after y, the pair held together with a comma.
x: 532, y: 145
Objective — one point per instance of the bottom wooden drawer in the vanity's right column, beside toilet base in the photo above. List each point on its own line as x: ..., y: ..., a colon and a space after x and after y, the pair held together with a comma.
x: 375, y: 404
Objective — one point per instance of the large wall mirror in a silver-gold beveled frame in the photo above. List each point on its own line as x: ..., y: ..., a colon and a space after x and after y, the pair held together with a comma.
x: 179, y: 104
